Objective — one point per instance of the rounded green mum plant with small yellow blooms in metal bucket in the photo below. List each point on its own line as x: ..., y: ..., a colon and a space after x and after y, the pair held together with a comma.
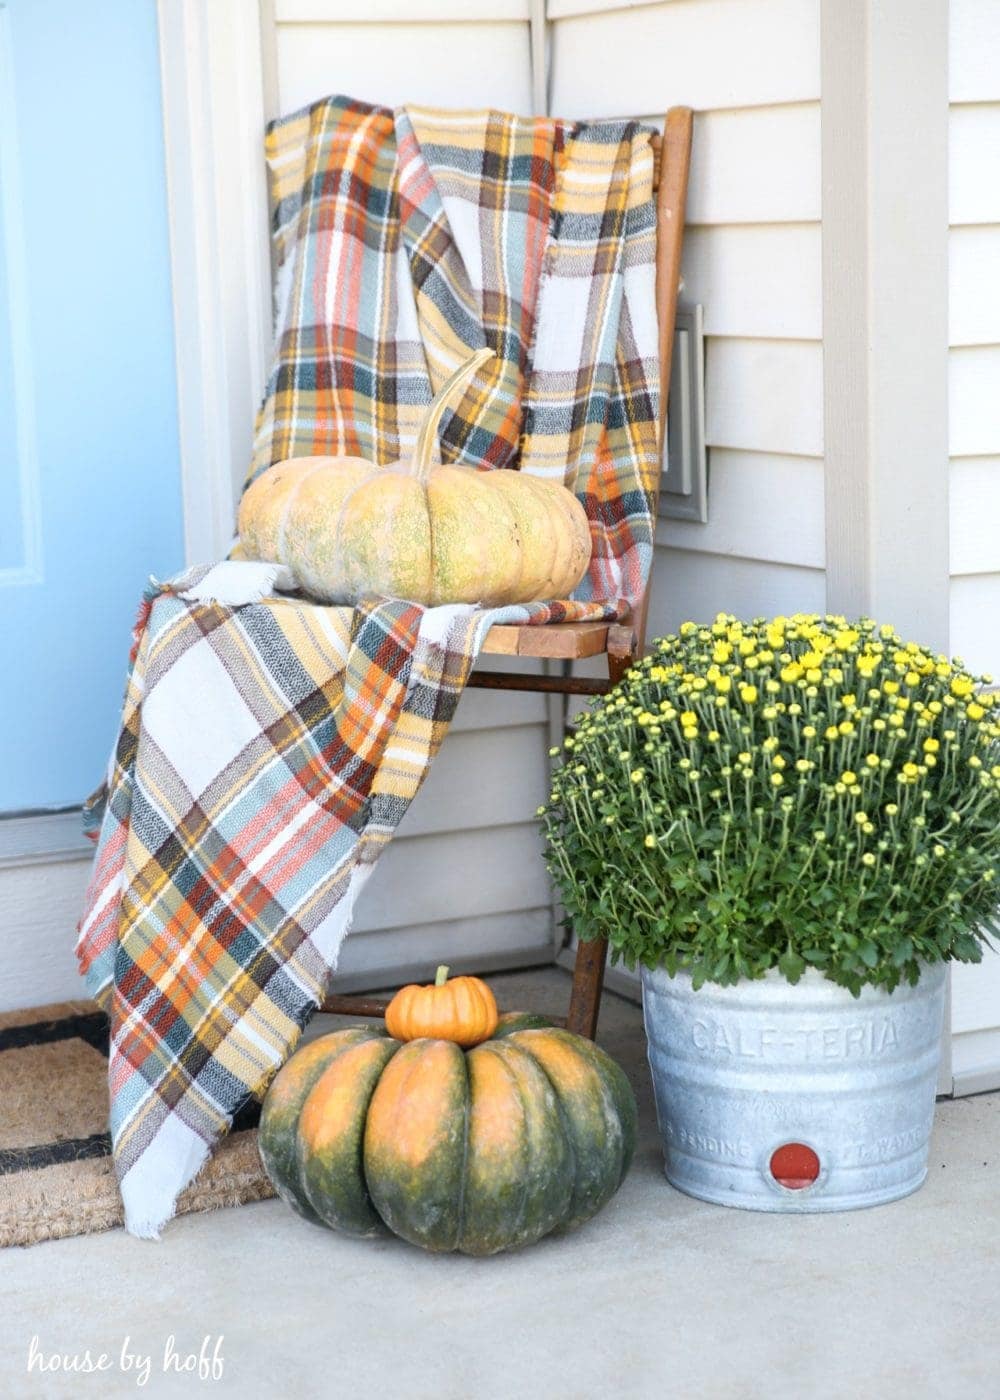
x: 786, y: 793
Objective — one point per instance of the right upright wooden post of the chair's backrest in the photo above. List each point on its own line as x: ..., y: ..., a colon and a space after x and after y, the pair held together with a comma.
x: 673, y: 156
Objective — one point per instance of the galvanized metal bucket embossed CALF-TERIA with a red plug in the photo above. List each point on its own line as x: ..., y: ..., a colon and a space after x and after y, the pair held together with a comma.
x: 779, y: 1098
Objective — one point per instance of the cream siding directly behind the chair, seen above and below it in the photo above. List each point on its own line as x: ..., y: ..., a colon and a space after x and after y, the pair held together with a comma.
x: 464, y: 877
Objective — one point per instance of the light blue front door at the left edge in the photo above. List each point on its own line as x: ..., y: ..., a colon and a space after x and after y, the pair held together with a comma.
x: 90, y: 495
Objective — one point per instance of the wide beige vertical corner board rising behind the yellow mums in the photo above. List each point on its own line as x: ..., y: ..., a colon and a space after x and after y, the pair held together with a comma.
x: 886, y: 318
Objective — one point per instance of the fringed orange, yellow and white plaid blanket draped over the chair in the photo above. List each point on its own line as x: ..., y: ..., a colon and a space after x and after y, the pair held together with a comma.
x: 270, y: 747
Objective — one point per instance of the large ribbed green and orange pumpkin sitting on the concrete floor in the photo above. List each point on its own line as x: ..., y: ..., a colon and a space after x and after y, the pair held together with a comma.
x: 475, y: 1151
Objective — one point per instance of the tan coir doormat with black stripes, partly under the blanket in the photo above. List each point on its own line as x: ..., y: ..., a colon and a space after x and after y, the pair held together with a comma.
x: 57, y: 1177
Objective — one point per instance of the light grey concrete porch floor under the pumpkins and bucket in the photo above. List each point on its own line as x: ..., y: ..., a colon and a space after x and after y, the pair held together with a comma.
x: 658, y: 1297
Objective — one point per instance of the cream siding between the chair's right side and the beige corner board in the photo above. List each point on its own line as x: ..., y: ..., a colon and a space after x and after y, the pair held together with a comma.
x: 751, y: 258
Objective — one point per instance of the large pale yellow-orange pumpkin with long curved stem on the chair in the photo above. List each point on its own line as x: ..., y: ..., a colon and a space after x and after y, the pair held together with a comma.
x: 417, y: 530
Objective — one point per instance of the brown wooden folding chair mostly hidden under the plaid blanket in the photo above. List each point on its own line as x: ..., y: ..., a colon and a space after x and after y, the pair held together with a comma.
x: 623, y: 642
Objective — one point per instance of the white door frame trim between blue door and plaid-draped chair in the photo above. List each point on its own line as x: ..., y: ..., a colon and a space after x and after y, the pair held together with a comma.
x: 212, y: 75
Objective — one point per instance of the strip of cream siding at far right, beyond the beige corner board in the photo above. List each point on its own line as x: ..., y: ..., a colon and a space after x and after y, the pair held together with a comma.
x: 974, y: 250
